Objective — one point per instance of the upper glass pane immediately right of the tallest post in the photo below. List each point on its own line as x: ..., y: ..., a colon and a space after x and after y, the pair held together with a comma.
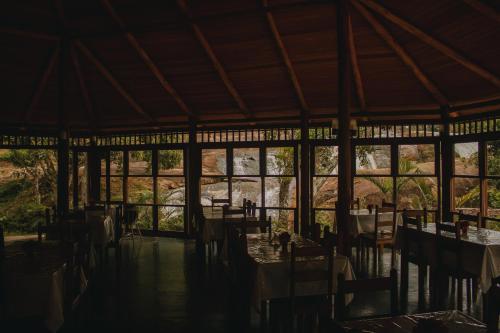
x: 374, y: 160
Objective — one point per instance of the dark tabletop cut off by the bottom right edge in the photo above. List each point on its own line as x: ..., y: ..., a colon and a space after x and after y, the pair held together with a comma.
x: 451, y: 321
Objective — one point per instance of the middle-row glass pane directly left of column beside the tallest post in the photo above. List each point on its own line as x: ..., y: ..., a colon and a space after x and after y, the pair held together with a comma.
x: 280, y: 192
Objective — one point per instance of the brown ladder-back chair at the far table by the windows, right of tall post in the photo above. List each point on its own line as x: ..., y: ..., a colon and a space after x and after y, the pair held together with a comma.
x: 380, y: 238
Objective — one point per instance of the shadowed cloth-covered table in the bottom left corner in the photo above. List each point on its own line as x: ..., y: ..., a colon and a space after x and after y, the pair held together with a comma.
x: 33, y: 281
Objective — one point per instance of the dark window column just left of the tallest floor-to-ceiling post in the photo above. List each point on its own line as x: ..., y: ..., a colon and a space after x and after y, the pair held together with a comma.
x: 305, y: 177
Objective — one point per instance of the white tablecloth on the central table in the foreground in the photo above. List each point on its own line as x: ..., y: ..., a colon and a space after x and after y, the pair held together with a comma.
x: 273, y: 275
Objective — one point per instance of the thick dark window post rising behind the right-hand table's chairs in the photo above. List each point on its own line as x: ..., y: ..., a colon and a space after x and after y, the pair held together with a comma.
x: 447, y: 164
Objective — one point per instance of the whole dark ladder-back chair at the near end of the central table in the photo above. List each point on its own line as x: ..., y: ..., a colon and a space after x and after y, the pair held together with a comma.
x: 315, y: 306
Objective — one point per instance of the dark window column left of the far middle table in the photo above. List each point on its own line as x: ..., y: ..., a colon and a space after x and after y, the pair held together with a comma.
x: 193, y: 167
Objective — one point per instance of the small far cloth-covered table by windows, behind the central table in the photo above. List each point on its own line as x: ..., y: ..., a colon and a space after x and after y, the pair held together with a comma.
x: 214, y: 223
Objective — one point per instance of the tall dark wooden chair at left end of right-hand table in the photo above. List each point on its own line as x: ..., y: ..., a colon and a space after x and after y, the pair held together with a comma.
x: 412, y: 251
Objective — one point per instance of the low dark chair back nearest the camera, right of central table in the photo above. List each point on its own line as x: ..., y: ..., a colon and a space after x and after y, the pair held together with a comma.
x: 365, y: 285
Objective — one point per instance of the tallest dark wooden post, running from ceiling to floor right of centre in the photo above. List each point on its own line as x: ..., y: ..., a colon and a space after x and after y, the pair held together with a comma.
x: 344, y: 135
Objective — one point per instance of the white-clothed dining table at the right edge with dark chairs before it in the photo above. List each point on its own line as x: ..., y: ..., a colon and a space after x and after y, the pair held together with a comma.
x: 481, y: 254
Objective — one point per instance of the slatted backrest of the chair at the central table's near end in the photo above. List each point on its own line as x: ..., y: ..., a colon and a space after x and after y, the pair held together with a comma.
x: 312, y: 273
